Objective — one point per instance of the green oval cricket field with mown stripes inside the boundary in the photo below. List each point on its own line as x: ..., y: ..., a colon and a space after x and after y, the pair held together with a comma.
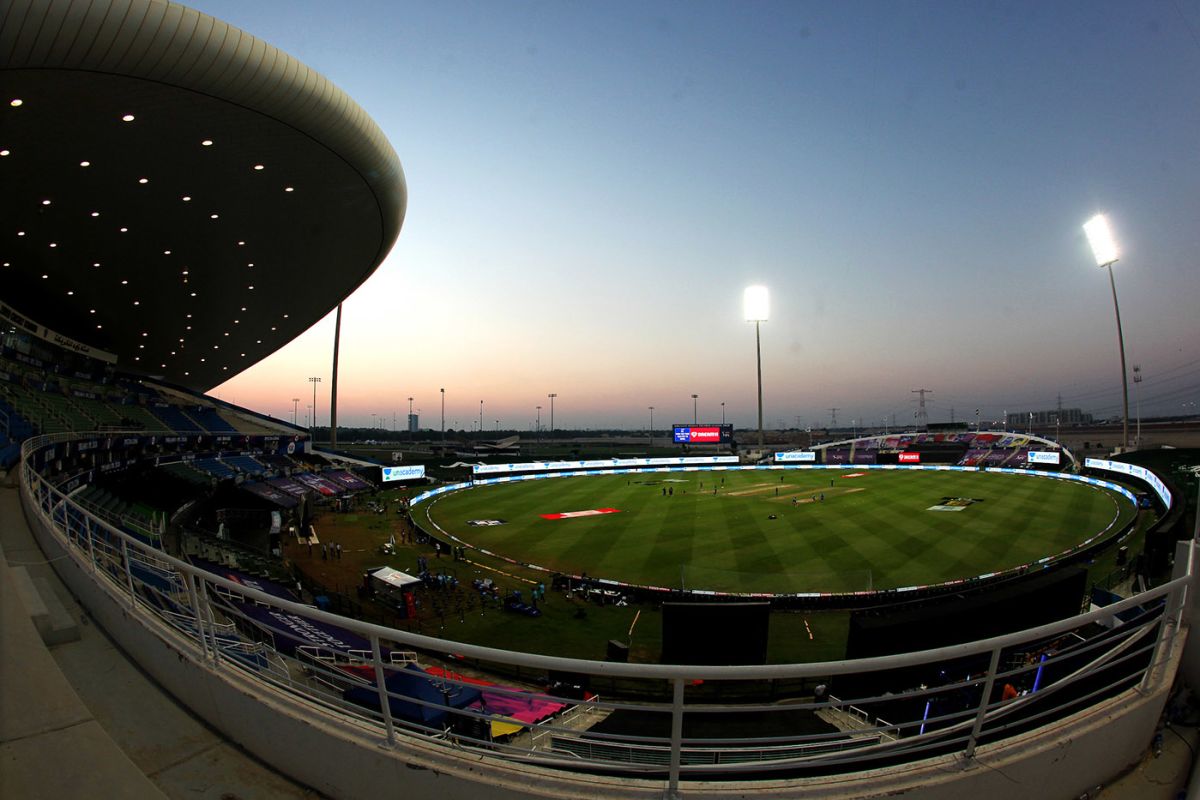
x: 872, y: 532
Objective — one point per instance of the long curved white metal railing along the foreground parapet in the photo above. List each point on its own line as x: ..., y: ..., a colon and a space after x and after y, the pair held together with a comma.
x: 362, y: 678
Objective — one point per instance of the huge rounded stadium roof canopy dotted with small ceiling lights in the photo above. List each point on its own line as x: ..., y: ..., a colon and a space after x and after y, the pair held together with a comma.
x: 176, y: 193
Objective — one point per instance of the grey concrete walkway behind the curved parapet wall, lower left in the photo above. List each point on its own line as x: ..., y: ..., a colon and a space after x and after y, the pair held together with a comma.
x: 80, y: 720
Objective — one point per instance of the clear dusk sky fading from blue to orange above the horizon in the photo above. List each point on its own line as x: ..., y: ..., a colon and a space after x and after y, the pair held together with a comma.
x: 592, y: 187
